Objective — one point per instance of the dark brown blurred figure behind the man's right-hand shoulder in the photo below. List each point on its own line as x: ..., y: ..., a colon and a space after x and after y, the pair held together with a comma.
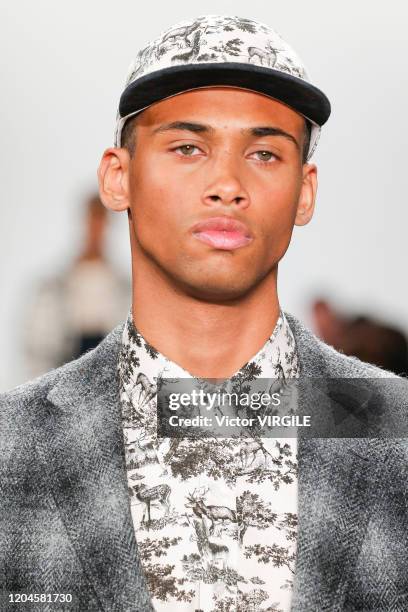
x: 363, y: 337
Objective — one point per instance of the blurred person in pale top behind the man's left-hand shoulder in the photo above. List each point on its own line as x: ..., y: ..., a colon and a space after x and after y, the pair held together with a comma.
x: 71, y: 312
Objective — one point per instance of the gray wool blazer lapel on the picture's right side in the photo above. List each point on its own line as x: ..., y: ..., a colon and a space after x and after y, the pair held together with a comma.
x: 335, y: 478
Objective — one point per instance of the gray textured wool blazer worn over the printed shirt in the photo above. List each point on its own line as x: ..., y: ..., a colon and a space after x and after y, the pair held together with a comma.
x: 65, y: 522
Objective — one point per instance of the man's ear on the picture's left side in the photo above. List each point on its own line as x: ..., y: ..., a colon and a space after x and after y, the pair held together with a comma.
x: 113, y: 177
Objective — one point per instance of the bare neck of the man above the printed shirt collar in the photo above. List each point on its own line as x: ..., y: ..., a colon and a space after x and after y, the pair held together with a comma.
x: 209, y: 340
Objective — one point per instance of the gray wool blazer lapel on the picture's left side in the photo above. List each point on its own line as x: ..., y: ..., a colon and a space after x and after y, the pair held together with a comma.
x: 83, y: 451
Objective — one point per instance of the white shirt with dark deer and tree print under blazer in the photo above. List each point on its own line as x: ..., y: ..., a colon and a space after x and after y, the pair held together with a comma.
x: 215, y: 519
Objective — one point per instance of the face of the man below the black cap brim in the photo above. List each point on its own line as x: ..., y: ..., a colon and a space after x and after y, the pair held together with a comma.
x: 202, y: 161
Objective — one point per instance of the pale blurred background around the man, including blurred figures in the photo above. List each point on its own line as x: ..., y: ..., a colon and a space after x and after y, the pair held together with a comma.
x: 65, y: 264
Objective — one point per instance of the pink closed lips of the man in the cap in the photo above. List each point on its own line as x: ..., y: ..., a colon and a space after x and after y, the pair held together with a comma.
x: 222, y: 233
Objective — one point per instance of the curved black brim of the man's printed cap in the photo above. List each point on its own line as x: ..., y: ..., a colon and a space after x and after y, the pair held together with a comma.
x: 300, y: 95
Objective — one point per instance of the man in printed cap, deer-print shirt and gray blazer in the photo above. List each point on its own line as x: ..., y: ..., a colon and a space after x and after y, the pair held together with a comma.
x: 216, y: 126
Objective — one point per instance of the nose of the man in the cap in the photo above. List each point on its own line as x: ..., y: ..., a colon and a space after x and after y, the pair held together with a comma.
x: 225, y: 184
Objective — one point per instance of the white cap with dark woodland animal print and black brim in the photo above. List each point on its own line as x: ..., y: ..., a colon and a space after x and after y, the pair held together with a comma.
x: 215, y: 50
